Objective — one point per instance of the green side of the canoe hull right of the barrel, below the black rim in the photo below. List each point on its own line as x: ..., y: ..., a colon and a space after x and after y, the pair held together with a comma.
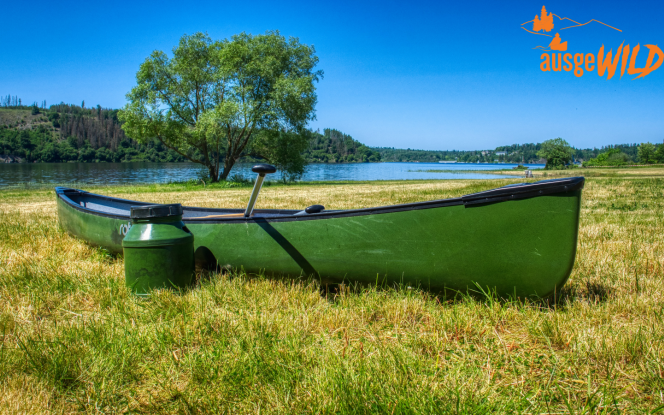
x: 524, y: 247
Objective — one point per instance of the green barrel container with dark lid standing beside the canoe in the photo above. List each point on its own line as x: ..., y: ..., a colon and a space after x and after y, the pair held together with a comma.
x: 158, y: 249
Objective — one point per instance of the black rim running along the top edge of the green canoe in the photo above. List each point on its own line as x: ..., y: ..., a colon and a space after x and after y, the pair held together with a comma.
x: 511, y: 192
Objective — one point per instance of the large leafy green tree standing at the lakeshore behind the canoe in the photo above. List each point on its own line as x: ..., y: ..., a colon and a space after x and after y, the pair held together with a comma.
x: 211, y: 98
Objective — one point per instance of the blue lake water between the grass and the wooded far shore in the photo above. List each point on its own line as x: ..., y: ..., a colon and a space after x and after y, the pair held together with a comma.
x: 118, y: 173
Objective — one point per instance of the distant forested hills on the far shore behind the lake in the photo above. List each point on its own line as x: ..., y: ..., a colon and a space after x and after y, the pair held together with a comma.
x: 72, y: 133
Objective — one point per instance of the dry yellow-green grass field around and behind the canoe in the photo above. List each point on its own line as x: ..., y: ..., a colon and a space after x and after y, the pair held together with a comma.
x: 74, y: 340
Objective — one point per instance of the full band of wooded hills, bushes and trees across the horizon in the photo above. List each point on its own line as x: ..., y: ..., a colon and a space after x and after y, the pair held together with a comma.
x: 73, y: 133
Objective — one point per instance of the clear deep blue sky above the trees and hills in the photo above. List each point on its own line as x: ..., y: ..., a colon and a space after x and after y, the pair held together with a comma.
x: 428, y: 75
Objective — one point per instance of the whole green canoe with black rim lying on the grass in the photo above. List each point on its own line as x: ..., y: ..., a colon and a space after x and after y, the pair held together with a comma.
x: 517, y: 240
